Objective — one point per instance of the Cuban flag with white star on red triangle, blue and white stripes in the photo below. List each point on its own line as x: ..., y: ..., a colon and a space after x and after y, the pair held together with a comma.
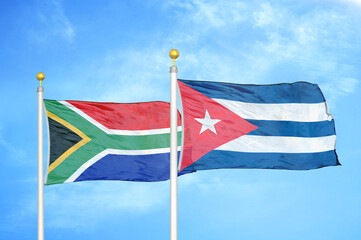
x: 280, y: 126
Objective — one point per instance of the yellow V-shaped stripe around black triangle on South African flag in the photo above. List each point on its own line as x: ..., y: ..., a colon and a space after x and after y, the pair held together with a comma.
x: 66, y: 154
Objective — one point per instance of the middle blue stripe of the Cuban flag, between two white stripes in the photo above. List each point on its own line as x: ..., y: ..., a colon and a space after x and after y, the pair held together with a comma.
x: 293, y: 129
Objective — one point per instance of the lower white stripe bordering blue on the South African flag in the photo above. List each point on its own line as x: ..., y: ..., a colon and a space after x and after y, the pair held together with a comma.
x: 102, y: 154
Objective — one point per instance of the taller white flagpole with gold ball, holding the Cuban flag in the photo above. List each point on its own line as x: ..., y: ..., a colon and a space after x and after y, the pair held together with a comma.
x: 173, y: 148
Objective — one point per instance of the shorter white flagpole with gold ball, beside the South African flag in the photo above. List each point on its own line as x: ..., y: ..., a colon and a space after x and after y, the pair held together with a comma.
x: 40, y: 76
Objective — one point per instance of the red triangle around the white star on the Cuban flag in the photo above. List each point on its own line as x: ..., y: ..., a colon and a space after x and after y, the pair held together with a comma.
x: 197, y: 144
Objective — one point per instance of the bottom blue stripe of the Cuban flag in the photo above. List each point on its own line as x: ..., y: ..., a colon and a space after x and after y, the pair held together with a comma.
x: 293, y: 161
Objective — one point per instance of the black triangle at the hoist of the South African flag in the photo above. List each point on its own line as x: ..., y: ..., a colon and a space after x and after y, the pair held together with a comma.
x: 61, y: 139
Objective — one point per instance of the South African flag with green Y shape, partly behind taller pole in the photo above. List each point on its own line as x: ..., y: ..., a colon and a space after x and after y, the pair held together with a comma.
x: 108, y: 141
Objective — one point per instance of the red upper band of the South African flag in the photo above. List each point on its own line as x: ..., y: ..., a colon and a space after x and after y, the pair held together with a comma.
x: 128, y: 116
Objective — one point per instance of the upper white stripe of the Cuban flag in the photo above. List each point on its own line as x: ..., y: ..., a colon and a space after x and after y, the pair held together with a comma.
x: 299, y: 112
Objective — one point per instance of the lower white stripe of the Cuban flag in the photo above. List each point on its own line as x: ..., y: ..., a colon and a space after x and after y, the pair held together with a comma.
x: 263, y: 144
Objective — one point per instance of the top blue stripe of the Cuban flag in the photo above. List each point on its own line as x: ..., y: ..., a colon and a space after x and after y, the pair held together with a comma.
x: 299, y: 92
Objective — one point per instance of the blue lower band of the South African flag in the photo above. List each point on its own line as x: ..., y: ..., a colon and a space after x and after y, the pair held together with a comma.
x: 139, y: 168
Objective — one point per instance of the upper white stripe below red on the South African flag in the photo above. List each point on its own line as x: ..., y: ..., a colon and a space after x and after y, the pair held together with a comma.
x: 117, y: 132
